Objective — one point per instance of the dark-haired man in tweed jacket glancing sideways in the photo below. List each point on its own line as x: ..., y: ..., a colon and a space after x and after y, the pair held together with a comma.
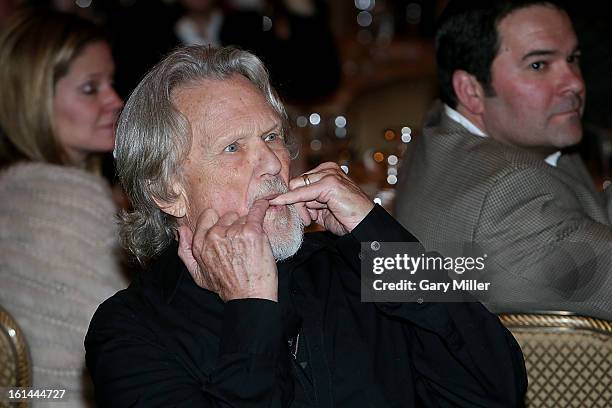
x: 492, y: 166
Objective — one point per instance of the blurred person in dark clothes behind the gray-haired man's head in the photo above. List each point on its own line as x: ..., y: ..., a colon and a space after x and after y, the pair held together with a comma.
x: 291, y: 36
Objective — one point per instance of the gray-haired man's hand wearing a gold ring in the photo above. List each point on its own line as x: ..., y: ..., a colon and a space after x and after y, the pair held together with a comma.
x: 332, y: 199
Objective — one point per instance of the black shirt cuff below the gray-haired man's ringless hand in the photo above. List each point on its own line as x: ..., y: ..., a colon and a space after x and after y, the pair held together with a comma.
x: 252, y: 326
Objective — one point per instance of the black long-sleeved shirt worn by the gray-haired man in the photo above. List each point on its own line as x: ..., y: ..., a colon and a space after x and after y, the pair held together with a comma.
x: 166, y: 342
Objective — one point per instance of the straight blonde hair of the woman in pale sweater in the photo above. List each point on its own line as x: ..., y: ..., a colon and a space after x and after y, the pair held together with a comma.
x: 36, y: 50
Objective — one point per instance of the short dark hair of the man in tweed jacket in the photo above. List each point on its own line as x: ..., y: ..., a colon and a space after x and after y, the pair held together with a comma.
x: 467, y: 39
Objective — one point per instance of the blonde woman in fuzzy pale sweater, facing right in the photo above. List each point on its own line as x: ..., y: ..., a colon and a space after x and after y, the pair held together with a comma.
x: 58, y: 240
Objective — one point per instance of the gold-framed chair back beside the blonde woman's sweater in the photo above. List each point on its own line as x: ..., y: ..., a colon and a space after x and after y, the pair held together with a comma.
x: 14, y: 356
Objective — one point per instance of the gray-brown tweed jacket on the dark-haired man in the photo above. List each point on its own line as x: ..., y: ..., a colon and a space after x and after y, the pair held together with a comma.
x: 546, y: 230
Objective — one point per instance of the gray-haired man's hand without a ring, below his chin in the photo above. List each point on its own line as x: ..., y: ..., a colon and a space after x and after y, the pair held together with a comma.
x: 231, y: 255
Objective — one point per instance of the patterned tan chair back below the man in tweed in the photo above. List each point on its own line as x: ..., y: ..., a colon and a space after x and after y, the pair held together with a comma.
x: 568, y: 358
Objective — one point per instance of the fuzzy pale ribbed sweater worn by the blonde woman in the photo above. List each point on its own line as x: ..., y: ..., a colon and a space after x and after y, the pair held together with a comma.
x: 58, y: 262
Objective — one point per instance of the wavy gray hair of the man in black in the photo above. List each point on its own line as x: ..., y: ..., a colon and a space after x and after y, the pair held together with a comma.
x: 153, y: 138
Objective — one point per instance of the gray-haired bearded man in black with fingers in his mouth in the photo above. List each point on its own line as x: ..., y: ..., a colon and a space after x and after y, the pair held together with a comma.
x: 236, y: 307
